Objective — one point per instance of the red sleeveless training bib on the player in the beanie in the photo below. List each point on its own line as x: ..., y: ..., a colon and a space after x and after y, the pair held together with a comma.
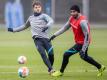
x: 77, y: 30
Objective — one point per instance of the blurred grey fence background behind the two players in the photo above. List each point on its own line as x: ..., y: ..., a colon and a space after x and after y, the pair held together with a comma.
x: 60, y: 9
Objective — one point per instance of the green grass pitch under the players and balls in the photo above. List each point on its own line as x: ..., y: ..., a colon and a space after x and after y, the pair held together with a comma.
x: 13, y: 45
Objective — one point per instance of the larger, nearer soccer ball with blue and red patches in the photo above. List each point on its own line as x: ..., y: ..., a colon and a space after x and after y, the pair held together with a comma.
x: 23, y: 72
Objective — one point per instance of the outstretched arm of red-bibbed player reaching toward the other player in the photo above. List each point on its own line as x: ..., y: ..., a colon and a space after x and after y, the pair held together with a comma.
x: 60, y: 31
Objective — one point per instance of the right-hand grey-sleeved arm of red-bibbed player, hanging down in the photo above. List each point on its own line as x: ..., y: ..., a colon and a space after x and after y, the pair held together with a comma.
x: 84, y: 26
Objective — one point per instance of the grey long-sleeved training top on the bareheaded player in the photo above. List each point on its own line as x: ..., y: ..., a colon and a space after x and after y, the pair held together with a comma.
x: 37, y: 24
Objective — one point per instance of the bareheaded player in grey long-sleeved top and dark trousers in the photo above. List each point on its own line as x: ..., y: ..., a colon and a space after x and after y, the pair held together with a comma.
x: 39, y: 23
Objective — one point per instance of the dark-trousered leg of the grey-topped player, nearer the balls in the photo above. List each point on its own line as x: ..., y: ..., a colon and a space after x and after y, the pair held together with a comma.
x: 41, y: 50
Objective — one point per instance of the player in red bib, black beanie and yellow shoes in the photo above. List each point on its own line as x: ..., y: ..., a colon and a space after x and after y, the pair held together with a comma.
x: 81, y: 30
